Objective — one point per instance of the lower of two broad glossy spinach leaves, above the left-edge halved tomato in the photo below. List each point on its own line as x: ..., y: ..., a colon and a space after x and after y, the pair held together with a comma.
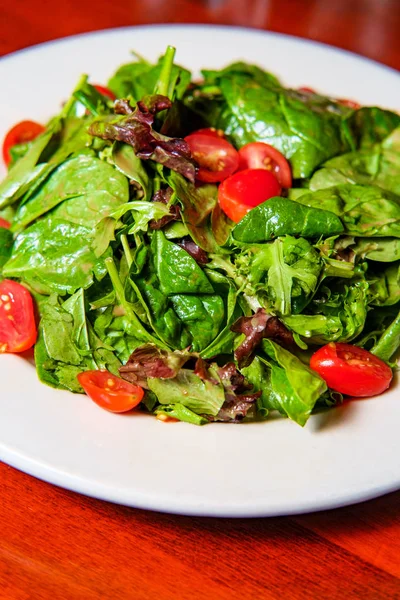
x: 55, y: 255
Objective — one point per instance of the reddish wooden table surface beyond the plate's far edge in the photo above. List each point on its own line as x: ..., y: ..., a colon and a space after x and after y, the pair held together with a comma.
x: 369, y: 27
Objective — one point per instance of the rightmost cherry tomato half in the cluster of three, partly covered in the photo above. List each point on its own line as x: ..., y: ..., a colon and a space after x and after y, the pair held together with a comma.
x: 258, y: 155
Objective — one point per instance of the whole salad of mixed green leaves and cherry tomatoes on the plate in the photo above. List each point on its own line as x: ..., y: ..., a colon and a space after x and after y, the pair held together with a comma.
x: 204, y: 250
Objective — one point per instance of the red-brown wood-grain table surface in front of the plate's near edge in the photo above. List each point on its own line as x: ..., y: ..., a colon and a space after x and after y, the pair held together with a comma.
x: 58, y: 542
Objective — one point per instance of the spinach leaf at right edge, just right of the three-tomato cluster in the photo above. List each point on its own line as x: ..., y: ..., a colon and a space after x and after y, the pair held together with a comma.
x: 364, y: 210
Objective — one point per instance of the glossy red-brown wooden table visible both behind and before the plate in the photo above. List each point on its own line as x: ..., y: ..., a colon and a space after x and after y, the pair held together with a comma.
x: 59, y: 545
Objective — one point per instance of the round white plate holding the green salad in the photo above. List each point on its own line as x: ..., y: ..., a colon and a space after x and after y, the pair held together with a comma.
x: 346, y: 455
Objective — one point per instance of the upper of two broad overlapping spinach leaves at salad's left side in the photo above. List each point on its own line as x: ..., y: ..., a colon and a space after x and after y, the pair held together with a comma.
x: 84, y: 189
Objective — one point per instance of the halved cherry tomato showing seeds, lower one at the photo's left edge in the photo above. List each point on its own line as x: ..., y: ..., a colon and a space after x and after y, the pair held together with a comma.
x: 17, y: 318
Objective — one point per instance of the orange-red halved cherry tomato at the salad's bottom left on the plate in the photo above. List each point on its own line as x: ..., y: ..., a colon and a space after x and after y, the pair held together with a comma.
x: 110, y: 392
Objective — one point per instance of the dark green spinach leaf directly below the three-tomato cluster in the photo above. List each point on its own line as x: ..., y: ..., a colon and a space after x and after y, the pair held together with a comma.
x: 280, y: 216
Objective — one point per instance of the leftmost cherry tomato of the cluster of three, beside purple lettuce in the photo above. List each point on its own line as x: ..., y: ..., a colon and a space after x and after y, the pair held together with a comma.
x: 216, y: 157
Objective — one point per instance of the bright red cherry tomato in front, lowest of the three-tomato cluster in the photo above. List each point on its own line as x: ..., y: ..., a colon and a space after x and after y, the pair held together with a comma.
x: 246, y: 189
